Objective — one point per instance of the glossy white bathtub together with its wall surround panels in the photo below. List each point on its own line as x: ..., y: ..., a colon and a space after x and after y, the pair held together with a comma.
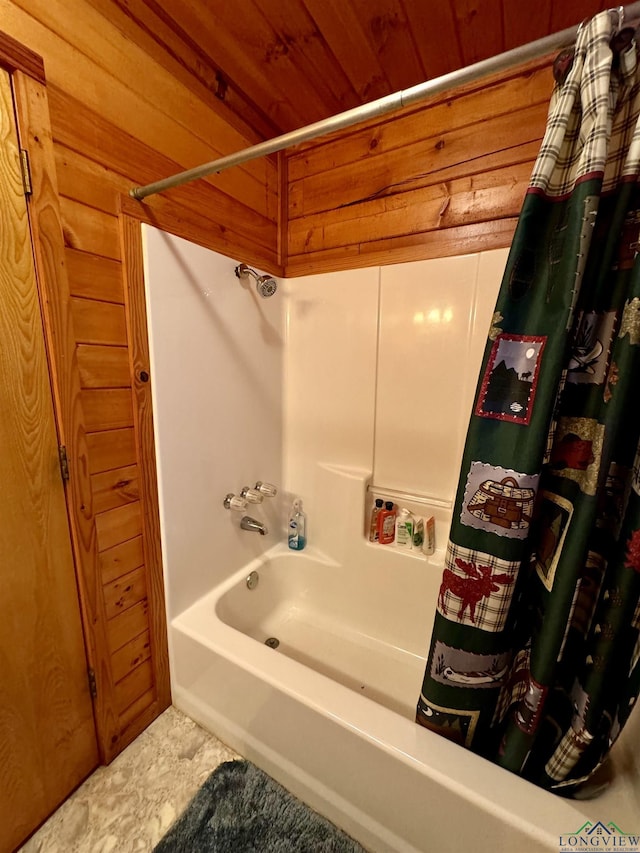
x: 340, y: 387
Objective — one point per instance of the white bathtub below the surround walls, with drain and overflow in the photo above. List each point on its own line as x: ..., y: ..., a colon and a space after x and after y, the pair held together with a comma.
x: 330, y: 712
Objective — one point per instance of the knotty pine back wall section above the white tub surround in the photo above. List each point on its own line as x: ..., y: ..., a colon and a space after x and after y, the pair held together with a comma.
x: 444, y: 178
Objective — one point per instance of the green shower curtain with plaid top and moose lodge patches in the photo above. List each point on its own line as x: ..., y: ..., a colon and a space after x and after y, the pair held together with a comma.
x: 535, y: 653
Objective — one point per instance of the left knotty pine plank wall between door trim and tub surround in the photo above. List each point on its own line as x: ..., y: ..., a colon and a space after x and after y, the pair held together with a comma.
x: 118, y: 118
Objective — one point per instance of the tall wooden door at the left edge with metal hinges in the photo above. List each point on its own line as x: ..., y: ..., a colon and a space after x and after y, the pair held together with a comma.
x: 47, y: 732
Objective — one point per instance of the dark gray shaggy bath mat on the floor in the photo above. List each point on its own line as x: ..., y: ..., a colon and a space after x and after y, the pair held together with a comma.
x: 240, y: 809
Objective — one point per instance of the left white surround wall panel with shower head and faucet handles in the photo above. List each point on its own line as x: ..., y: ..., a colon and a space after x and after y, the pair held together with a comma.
x: 217, y: 366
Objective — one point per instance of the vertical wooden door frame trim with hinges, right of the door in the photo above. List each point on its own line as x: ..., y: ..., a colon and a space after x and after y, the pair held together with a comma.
x: 46, y: 224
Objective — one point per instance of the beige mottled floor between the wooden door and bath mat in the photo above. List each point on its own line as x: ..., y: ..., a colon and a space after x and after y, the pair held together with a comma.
x: 129, y: 805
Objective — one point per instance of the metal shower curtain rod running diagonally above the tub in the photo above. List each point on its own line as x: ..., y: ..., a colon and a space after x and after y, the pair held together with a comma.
x: 384, y: 105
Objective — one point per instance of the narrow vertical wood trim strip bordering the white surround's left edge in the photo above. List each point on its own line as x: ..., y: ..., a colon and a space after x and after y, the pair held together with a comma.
x: 131, y: 234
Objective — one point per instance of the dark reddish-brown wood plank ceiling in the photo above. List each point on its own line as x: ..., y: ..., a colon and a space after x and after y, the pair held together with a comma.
x: 275, y: 65
